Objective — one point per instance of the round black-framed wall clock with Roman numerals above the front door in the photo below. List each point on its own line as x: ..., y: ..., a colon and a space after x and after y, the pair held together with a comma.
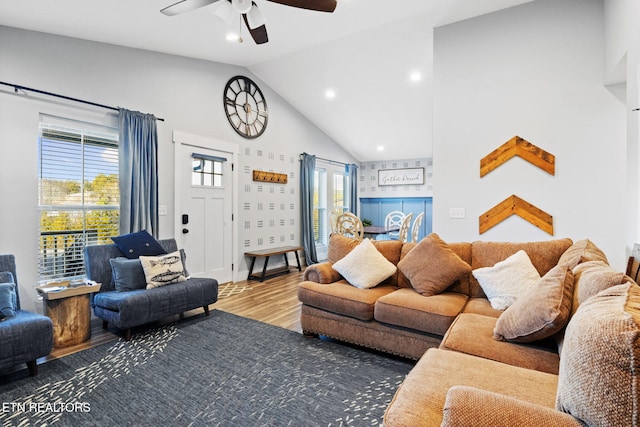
x: 245, y: 106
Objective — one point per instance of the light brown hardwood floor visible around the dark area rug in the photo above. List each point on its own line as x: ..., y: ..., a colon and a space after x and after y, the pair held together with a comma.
x: 273, y: 301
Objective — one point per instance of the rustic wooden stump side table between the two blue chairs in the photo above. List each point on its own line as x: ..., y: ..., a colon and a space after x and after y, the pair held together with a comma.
x: 70, y: 311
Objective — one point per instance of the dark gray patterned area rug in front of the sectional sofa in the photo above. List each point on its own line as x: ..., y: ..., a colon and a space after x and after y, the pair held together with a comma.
x: 221, y: 370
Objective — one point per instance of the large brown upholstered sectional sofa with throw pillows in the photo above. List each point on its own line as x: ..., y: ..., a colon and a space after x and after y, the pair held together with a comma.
x: 465, y: 376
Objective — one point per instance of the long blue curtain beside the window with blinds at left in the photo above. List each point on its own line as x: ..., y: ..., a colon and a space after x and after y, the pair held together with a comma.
x: 138, y: 156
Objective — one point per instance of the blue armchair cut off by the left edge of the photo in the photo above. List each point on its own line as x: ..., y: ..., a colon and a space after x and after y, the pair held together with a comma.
x: 26, y: 336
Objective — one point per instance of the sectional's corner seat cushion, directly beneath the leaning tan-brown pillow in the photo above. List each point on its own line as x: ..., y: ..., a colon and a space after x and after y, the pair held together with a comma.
x: 473, y: 334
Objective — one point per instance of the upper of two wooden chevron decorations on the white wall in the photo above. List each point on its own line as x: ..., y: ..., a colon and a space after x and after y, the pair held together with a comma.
x: 517, y: 146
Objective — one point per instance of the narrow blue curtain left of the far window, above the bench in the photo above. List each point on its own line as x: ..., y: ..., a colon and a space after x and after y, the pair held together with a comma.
x: 307, y: 169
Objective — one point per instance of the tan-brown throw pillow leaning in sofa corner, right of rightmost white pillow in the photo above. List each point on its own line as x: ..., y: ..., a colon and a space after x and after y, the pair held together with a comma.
x: 541, y: 311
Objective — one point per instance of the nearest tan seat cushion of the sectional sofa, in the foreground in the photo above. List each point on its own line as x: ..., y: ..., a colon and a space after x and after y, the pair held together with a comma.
x: 421, y: 397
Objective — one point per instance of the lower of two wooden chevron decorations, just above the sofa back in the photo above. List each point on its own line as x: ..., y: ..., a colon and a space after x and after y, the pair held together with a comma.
x: 514, y: 205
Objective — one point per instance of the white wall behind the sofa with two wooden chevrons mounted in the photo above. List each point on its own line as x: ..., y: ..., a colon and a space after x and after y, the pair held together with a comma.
x: 536, y: 71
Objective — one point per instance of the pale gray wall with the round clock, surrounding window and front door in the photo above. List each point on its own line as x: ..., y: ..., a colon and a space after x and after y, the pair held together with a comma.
x: 187, y: 93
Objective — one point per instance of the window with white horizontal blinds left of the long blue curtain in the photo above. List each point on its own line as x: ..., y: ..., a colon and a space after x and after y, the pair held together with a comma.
x: 78, y: 194
